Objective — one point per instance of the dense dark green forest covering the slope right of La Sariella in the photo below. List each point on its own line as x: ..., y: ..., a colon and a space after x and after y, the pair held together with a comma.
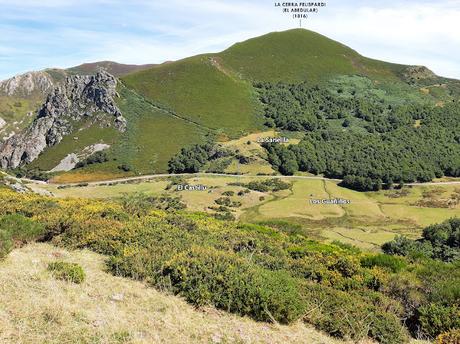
x: 389, y: 144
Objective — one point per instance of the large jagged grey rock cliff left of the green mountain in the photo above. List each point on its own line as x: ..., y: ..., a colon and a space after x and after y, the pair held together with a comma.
x: 79, y: 97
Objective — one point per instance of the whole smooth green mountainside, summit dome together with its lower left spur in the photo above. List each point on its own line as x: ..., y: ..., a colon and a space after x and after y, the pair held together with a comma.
x: 215, y: 90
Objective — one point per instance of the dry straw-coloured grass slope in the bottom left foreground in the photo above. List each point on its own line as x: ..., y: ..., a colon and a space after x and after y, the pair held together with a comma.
x: 35, y: 308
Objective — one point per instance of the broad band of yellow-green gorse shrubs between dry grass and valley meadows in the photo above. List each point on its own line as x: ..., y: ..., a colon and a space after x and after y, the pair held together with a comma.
x: 268, y: 273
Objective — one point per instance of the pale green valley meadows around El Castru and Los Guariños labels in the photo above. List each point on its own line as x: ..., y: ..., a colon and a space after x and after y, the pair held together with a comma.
x: 371, y: 218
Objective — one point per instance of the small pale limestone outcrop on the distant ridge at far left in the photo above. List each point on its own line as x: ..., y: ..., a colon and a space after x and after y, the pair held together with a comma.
x: 26, y: 84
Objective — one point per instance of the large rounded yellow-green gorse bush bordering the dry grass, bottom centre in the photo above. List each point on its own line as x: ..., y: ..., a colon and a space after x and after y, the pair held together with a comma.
x: 207, y: 276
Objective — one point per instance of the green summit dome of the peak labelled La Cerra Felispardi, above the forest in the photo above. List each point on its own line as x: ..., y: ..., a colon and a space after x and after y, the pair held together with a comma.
x: 299, y: 55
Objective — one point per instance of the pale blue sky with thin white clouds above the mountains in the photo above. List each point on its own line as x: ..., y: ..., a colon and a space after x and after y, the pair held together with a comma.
x: 62, y: 33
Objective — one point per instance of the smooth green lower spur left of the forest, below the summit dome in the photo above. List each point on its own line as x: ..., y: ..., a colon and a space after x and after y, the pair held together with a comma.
x: 199, y: 90
